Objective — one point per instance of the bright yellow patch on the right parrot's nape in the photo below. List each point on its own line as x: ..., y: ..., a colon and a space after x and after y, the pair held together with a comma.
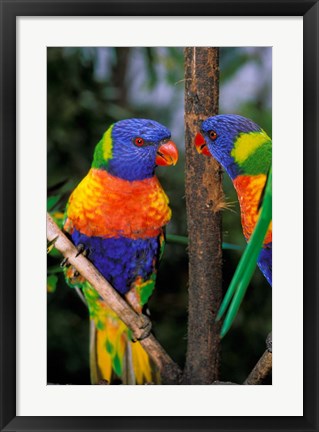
x: 247, y: 143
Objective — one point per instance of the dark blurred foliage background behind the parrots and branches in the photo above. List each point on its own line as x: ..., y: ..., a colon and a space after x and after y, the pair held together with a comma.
x: 89, y: 89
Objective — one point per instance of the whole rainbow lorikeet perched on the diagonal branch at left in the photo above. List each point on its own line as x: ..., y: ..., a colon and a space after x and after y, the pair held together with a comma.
x: 117, y: 215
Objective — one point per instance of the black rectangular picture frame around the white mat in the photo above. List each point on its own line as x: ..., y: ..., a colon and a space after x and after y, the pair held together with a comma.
x: 10, y: 9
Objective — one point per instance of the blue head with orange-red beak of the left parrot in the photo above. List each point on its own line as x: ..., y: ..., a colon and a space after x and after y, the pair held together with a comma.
x: 131, y: 149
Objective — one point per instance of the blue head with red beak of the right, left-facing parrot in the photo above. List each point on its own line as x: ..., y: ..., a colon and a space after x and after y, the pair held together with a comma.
x: 220, y: 135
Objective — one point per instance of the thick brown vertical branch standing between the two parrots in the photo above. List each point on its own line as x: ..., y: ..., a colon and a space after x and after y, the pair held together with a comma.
x: 203, y: 200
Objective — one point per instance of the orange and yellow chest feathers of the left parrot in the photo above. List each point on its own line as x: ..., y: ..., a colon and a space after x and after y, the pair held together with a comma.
x: 106, y: 206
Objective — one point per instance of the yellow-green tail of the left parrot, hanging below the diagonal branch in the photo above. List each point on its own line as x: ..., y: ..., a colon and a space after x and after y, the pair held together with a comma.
x: 114, y: 358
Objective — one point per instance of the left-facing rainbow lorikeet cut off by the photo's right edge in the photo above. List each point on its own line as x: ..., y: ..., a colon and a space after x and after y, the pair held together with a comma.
x: 245, y: 151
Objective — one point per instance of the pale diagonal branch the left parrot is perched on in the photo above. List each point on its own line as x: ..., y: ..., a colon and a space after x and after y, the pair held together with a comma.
x: 169, y: 370
